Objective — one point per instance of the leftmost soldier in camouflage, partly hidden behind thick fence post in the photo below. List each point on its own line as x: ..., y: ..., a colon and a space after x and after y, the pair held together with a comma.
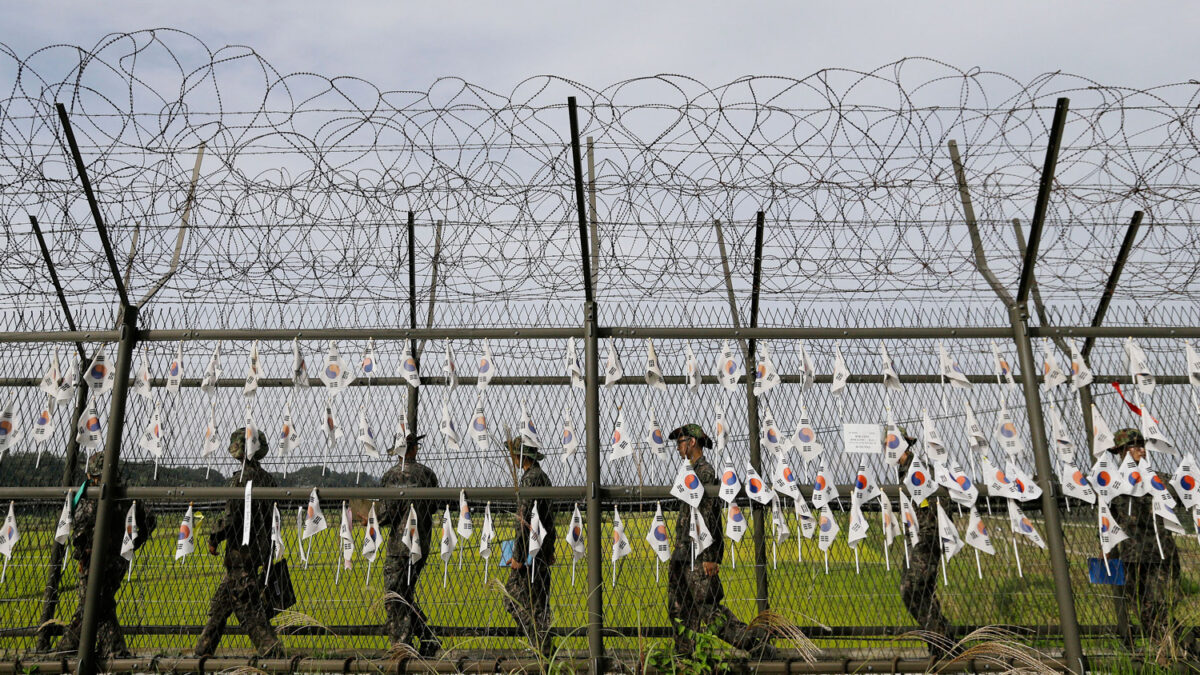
x: 110, y: 641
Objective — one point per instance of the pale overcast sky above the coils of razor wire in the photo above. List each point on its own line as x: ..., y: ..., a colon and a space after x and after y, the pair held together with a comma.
x: 497, y: 44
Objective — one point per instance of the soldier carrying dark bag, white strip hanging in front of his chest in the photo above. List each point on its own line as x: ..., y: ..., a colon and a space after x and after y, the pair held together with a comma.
x: 242, y: 590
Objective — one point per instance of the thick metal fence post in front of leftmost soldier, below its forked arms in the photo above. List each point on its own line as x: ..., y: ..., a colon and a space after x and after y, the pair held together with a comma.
x: 106, y: 510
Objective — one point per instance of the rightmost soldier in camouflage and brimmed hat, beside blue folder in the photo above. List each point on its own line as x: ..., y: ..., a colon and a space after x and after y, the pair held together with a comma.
x: 1153, y: 580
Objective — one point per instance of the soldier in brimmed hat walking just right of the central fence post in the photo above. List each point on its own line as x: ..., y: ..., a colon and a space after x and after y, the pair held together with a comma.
x: 694, y: 590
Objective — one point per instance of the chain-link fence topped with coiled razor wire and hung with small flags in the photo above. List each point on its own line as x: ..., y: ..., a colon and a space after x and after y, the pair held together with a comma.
x: 443, y: 226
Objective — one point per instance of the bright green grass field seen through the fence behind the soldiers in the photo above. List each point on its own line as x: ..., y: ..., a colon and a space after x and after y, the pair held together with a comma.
x: 165, y: 593
